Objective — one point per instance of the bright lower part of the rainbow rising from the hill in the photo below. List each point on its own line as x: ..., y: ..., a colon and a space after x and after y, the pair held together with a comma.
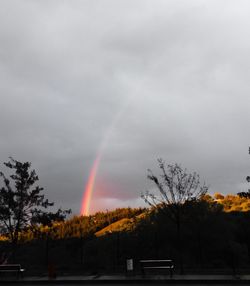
x: 90, y: 187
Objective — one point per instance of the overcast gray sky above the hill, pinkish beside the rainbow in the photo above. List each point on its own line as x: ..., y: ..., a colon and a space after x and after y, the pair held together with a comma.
x: 138, y: 79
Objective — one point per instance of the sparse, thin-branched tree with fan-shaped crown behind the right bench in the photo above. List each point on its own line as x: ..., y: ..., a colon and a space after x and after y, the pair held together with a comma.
x: 175, y: 189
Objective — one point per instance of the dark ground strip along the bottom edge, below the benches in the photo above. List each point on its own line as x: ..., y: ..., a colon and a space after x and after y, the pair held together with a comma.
x: 134, y: 280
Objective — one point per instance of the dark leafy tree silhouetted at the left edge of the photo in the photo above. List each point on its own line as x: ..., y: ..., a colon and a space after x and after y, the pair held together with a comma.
x: 22, y: 204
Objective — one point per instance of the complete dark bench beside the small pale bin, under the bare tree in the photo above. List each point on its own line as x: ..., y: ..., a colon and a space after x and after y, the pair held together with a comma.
x: 157, y: 264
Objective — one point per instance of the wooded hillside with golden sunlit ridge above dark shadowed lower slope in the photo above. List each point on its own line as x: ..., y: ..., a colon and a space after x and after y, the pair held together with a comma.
x: 212, y: 239
